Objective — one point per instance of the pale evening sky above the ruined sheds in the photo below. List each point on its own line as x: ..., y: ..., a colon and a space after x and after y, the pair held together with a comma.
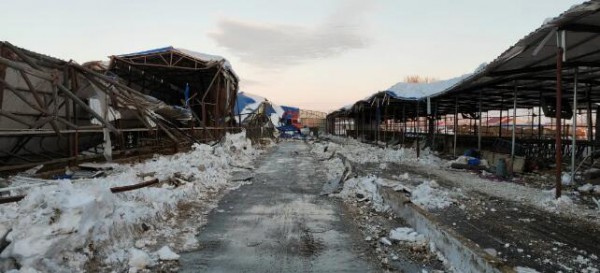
x: 312, y: 54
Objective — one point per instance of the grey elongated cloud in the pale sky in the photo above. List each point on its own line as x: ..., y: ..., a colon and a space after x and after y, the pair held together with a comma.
x: 273, y: 45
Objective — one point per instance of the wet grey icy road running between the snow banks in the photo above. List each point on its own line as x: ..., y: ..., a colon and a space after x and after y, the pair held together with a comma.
x: 280, y: 224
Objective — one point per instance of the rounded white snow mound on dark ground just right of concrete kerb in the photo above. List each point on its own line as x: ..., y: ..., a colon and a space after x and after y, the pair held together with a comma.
x: 428, y: 196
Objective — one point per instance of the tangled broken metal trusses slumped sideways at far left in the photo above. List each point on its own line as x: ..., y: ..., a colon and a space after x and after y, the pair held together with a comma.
x: 59, y: 112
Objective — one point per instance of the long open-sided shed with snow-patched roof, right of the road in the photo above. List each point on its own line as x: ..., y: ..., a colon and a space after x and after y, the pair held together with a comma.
x: 547, y: 84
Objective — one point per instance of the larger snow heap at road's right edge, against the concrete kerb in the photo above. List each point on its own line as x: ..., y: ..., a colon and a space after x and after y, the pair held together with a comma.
x: 367, y: 188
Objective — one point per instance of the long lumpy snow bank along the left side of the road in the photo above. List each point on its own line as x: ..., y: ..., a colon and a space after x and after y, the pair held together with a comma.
x: 61, y: 226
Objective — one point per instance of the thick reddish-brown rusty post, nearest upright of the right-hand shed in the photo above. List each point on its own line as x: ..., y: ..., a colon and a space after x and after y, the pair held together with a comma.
x: 559, y: 63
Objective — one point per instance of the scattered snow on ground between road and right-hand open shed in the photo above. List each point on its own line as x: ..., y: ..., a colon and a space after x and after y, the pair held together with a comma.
x: 453, y: 188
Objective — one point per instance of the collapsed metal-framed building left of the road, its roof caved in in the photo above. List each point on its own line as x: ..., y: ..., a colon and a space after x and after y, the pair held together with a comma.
x: 53, y: 111
